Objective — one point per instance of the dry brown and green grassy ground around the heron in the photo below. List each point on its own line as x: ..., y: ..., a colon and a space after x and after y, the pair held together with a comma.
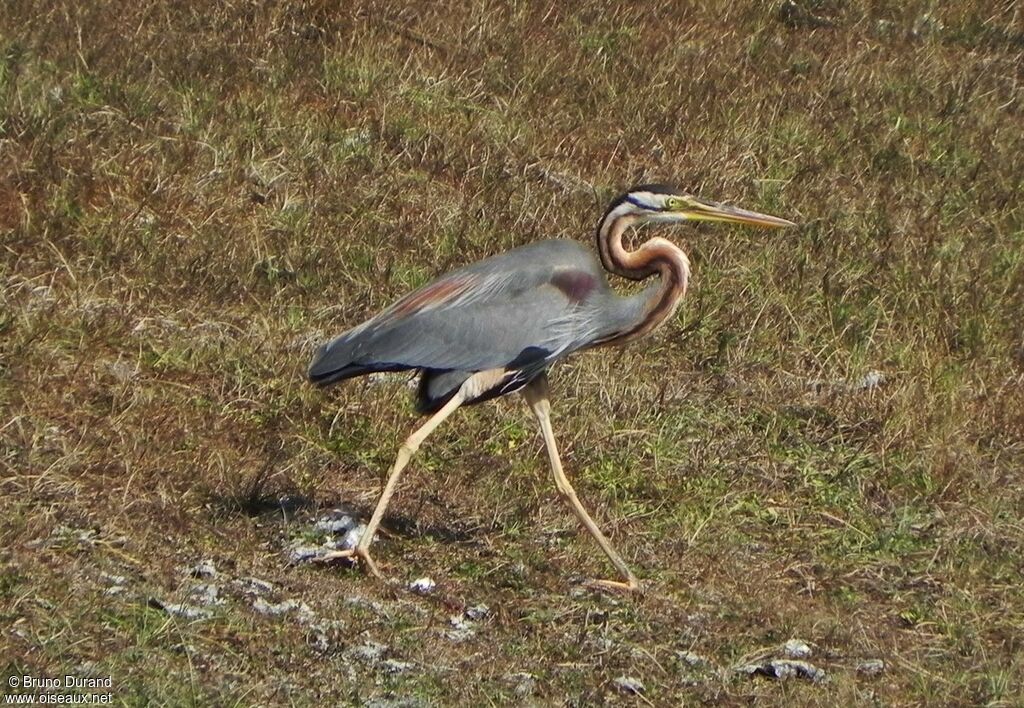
x: 192, y: 198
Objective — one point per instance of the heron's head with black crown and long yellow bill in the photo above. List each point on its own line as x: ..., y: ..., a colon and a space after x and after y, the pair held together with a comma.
x: 661, y: 204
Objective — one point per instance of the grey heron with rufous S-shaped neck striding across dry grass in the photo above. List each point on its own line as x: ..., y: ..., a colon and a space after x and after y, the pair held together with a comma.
x: 497, y: 326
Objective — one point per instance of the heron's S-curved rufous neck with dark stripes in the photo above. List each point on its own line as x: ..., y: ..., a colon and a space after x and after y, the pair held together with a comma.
x: 655, y: 258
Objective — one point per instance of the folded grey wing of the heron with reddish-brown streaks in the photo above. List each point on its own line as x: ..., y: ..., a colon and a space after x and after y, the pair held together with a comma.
x: 513, y: 313
